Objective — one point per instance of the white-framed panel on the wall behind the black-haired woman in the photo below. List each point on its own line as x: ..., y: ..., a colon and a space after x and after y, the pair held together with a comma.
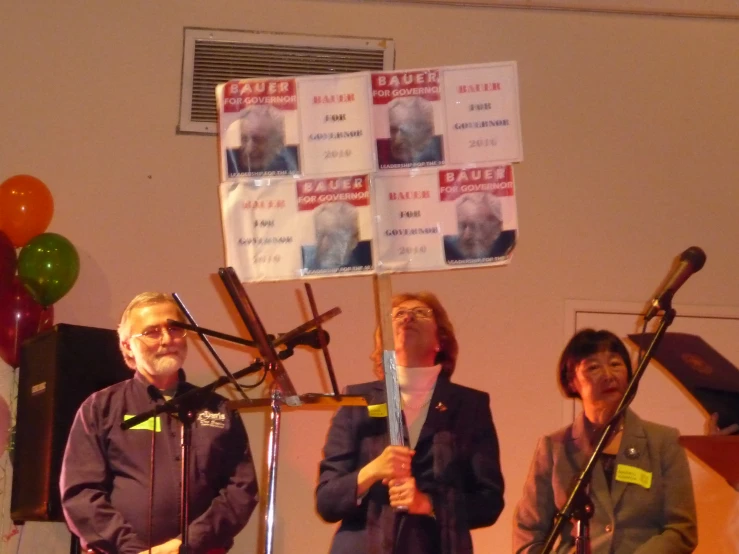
x: 662, y: 399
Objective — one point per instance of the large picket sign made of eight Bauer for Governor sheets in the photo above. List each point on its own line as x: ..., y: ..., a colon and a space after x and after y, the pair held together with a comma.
x: 404, y: 170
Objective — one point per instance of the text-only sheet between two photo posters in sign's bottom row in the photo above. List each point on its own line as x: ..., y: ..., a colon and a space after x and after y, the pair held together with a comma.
x: 407, y: 214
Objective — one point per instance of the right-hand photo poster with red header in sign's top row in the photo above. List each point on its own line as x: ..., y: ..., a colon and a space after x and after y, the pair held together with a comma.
x: 408, y: 119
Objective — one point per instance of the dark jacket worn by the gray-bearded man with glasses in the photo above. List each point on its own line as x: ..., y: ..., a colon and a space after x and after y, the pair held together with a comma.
x: 105, y: 473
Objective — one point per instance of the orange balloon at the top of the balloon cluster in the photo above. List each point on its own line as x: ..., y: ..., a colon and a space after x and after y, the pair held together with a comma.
x: 26, y: 208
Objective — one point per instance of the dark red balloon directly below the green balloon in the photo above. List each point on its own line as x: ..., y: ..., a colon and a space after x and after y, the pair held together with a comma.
x: 21, y: 317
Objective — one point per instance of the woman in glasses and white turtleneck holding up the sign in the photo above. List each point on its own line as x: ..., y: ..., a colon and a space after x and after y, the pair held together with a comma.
x: 423, y: 498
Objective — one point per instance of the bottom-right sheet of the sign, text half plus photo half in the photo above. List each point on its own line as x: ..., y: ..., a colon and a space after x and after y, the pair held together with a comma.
x: 439, y: 219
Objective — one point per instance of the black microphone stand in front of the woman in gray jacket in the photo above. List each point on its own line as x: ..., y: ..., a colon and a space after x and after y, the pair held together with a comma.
x: 579, y: 507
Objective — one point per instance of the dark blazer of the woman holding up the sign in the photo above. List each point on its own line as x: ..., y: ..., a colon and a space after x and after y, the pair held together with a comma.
x: 457, y: 463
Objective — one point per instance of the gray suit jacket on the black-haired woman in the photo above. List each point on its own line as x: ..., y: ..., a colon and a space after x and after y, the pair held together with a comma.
x: 628, y: 519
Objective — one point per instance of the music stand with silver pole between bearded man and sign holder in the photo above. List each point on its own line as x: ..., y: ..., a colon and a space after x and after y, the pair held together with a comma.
x: 284, y: 393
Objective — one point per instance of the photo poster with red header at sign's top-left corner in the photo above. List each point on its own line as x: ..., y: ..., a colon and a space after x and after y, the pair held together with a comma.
x: 258, y: 125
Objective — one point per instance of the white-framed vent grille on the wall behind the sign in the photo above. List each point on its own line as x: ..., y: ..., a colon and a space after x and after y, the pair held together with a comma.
x: 212, y: 57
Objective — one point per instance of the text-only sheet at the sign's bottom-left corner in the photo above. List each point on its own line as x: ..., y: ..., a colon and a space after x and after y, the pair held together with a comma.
x: 260, y: 229
